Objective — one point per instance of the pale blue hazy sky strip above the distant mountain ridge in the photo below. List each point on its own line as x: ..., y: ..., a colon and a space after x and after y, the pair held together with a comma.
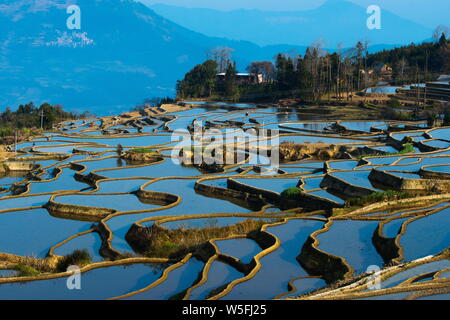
x: 427, y: 12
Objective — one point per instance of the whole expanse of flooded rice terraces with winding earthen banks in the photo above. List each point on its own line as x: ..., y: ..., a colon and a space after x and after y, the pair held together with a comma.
x: 161, y: 228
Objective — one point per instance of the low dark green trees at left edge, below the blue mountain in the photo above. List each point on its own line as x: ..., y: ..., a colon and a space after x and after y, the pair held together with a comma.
x: 28, y: 117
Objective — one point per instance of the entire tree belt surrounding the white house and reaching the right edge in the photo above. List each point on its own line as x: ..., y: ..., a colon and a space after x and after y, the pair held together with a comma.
x: 318, y: 75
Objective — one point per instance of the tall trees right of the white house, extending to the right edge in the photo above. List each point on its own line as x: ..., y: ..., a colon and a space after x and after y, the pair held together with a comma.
x: 320, y: 75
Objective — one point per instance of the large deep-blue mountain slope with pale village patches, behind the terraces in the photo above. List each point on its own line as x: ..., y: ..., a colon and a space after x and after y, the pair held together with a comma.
x: 124, y: 53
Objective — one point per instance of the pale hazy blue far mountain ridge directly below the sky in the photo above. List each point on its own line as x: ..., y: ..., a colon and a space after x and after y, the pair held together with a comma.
x: 336, y: 21
